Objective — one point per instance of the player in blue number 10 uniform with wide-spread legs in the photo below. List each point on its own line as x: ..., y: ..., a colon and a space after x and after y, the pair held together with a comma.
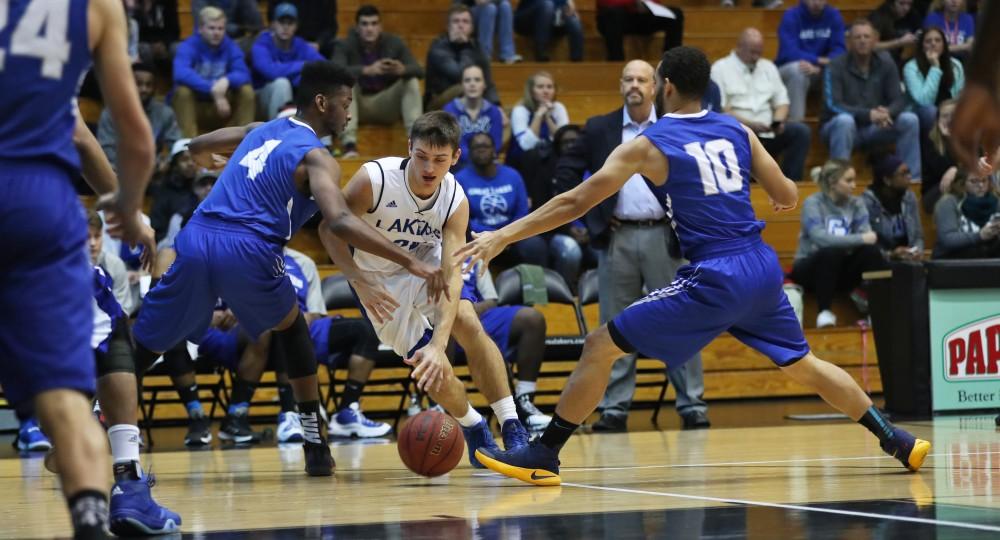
x: 698, y: 164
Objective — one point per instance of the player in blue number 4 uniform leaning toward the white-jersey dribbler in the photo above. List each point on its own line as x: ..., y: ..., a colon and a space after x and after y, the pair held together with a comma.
x: 278, y: 176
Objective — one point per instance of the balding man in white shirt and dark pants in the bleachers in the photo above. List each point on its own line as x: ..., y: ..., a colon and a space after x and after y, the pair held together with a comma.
x: 752, y: 92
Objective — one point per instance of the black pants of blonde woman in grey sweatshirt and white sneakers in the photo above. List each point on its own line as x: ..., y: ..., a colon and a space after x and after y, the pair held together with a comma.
x: 836, y: 269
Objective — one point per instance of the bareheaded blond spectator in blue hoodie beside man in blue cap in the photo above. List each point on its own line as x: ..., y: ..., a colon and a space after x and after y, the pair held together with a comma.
x: 211, y: 79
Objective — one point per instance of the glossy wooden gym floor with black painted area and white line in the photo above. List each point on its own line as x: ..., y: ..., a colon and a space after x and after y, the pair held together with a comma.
x: 777, y: 480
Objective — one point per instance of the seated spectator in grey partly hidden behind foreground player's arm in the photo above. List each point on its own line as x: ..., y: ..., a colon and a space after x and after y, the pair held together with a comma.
x: 161, y: 120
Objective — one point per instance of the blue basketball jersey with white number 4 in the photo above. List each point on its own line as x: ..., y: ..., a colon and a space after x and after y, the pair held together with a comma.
x: 256, y: 189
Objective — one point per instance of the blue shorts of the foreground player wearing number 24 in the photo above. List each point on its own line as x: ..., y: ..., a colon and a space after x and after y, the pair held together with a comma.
x: 46, y: 284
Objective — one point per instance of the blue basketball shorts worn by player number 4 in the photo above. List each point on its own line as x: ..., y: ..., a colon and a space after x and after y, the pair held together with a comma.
x: 215, y: 260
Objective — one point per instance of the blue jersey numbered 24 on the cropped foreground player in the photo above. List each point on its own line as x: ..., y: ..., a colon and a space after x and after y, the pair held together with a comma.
x: 44, y: 54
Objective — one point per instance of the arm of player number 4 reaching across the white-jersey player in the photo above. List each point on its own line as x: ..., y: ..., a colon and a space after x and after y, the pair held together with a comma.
x: 324, y: 178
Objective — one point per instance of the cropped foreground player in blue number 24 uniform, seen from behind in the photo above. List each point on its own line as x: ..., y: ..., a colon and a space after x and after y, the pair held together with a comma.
x: 46, y: 47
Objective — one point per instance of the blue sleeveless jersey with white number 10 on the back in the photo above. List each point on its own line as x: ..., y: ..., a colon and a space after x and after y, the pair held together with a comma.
x: 707, y: 192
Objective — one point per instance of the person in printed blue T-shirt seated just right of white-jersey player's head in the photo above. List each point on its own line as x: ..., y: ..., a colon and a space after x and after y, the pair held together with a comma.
x: 497, y: 196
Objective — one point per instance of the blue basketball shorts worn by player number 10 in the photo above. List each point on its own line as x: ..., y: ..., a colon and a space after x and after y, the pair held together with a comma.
x: 739, y: 292
